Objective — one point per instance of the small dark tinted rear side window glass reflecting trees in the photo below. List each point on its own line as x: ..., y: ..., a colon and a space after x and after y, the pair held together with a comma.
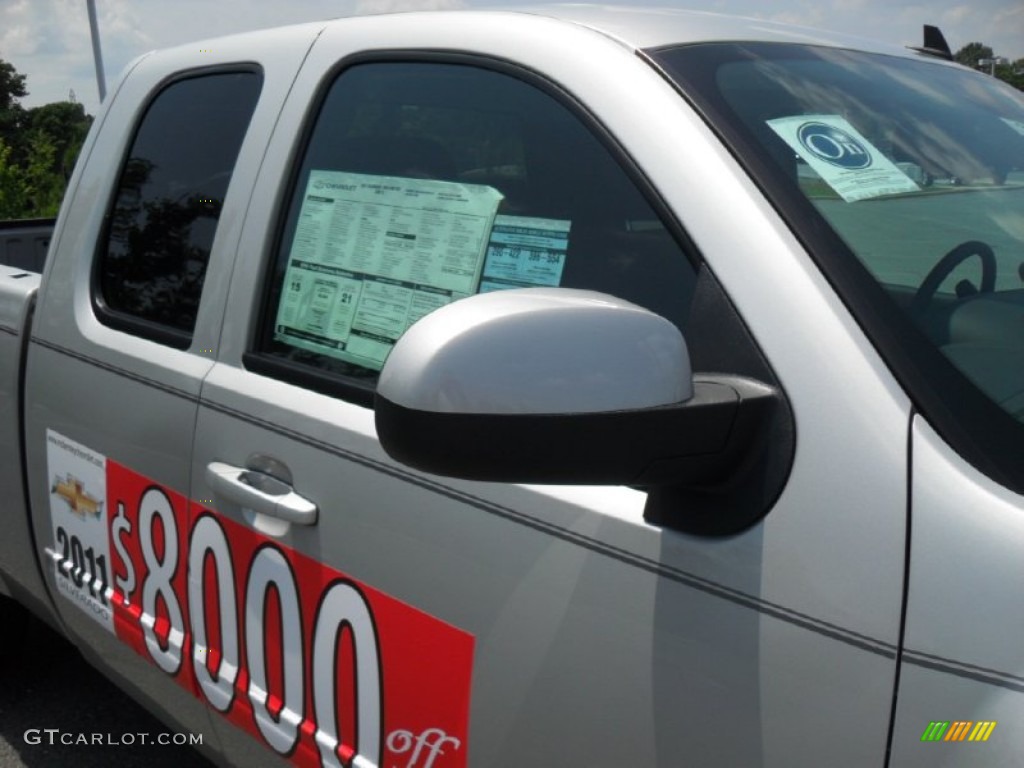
x: 169, y: 196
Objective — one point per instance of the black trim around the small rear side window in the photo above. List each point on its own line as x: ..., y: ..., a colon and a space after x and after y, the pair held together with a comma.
x: 116, y: 319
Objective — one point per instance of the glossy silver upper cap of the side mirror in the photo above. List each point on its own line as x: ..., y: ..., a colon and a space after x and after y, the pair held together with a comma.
x: 538, y: 351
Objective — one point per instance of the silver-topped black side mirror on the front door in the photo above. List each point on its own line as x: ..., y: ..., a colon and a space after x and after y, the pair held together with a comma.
x: 553, y: 386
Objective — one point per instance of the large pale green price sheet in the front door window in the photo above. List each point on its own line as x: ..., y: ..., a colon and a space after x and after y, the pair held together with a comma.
x: 374, y: 254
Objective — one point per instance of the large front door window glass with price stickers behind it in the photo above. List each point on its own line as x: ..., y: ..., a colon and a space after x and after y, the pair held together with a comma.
x: 423, y: 184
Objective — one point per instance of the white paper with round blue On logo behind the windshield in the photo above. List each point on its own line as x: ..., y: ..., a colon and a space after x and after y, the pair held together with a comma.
x: 854, y: 167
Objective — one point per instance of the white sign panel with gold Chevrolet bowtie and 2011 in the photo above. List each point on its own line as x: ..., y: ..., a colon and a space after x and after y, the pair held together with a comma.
x: 78, y: 513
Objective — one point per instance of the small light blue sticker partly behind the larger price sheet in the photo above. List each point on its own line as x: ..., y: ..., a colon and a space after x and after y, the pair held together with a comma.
x: 526, y: 252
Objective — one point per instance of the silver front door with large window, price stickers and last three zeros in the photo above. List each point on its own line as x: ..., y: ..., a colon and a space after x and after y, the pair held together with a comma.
x: 355, y: 610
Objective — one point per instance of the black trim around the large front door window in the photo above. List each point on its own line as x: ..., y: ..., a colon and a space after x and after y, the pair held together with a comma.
x: 260, y: 361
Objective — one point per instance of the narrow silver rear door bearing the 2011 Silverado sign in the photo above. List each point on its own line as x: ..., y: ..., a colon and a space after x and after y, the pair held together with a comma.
x: 124, y: 334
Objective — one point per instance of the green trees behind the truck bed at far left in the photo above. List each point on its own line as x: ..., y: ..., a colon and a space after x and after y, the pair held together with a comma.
x: 38, y: 149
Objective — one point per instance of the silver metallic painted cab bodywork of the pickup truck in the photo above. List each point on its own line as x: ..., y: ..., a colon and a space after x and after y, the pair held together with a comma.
x: 774, y: 648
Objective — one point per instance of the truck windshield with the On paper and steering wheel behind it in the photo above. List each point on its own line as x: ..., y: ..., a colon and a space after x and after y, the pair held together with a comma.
x: 918, y: 169
